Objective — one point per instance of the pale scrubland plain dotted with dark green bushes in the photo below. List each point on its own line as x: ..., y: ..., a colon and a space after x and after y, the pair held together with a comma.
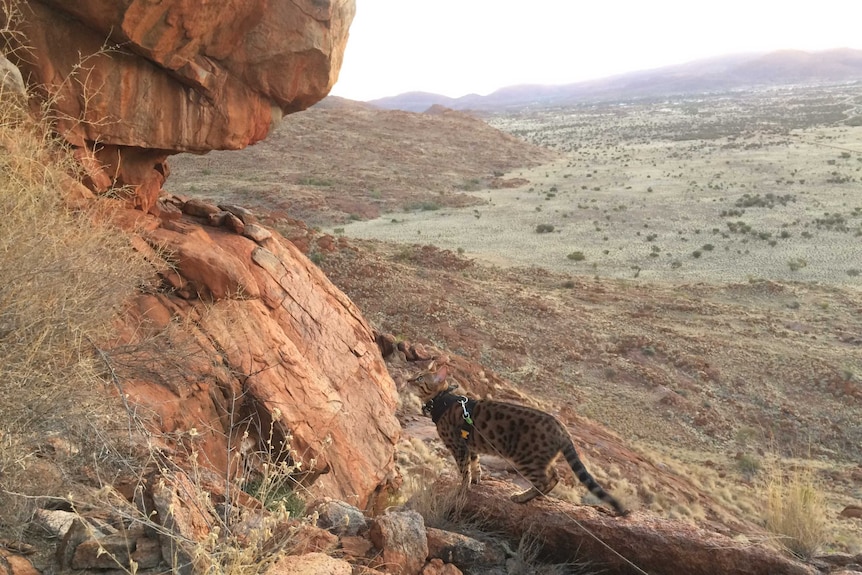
x: 751, y: 185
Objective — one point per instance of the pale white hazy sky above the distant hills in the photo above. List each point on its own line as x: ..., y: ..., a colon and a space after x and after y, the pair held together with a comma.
x: 456, y: 47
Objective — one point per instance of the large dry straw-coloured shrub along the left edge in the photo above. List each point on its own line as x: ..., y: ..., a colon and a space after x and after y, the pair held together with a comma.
x: 65, y: 275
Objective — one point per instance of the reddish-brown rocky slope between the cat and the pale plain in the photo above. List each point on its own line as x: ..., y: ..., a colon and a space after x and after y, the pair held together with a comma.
x: 690, y: 380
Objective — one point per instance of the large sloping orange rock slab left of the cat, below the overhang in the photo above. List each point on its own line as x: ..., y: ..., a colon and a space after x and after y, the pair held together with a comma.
x: 248, y: 349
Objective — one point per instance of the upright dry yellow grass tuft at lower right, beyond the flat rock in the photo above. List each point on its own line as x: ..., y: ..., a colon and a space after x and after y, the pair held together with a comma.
x: 796, y: 511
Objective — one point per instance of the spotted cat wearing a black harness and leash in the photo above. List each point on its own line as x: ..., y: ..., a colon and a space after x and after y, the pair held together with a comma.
x: 530, y: 439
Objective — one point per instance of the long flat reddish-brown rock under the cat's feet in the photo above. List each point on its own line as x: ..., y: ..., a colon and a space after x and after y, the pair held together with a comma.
x: 635, y: 544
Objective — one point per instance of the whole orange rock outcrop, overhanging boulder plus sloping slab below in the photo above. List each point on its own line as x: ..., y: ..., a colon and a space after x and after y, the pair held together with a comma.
x: 243, y: 353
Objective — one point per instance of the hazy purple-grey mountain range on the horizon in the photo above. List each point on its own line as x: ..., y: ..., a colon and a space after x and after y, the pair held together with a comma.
x: 711, y: 75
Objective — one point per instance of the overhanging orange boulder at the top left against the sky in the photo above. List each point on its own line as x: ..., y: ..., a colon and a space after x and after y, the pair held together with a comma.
x: 132, y: 82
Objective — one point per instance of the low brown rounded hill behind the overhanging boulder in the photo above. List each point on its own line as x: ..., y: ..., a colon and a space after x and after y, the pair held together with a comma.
x: 342, y: 160
